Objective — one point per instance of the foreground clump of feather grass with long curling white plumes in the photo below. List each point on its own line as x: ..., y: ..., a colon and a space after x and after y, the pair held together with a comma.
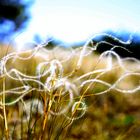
x: 50, y: 90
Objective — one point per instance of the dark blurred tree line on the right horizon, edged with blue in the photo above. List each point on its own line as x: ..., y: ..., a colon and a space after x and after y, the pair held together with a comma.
x: 131, y: 47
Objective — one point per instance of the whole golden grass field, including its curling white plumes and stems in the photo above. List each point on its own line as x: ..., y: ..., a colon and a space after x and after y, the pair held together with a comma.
x: 44, y: 114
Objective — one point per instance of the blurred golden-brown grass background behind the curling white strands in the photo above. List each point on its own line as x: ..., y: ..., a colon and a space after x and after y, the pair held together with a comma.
x: 113, y: 115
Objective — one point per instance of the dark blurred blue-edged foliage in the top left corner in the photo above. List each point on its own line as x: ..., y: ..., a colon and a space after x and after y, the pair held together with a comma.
x: 14, y: 16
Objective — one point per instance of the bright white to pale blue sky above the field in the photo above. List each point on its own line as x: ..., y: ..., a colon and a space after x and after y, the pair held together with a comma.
x: 76, y: 20
